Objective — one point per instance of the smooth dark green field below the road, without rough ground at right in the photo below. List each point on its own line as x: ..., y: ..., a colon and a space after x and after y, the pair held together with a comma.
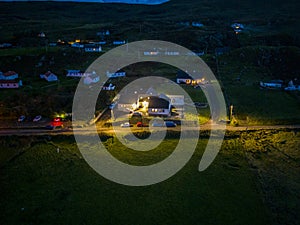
x: 42, y: 186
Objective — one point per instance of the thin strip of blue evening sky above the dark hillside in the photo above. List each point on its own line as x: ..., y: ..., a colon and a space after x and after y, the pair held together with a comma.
x: 145, y: 2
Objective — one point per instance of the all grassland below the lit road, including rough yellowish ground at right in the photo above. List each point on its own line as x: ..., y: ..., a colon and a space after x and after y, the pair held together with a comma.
x: 242, y: 186
